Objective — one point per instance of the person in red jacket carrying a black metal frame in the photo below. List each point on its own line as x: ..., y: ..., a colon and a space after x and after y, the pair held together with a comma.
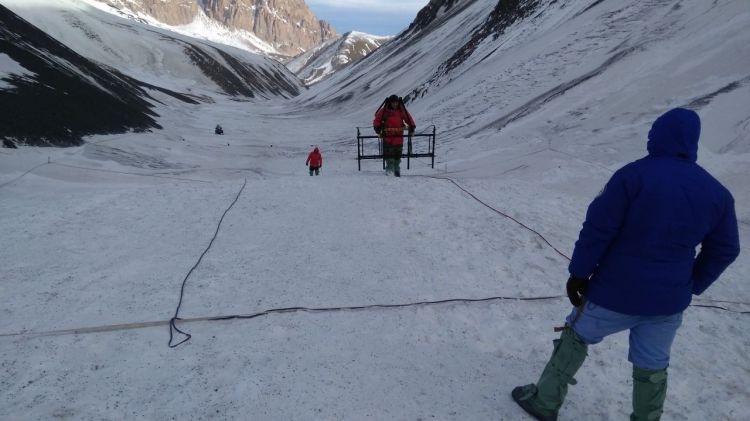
x: 389, y: 123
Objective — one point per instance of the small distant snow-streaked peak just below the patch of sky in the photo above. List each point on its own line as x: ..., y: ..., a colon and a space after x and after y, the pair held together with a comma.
x: 317, y: 64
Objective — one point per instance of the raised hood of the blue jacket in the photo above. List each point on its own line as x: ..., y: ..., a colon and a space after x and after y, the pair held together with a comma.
x: 675, y: 133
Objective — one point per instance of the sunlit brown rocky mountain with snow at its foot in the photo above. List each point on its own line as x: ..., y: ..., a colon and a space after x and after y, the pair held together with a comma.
x: 280, y: 28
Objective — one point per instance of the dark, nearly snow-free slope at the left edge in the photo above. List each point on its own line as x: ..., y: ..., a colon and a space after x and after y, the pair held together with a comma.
x: 49, y: 95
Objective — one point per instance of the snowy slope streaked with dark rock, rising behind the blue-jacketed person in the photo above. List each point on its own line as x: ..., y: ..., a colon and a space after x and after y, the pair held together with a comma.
x: 557, y: 78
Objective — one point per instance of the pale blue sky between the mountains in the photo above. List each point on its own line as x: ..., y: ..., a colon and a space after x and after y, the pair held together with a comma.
x: 381, y: 17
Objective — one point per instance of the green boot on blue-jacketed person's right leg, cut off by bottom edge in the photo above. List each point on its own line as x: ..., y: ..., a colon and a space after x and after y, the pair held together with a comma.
x: 649, y: 393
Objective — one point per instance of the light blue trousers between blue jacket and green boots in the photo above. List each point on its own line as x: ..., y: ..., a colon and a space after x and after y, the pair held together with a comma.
x: 651, y: 337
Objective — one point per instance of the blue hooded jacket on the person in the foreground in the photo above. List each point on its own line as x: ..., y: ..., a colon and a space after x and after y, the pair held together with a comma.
x: 639, y: 240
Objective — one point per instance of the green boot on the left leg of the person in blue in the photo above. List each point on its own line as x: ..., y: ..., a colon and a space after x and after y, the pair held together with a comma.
x: 543, y: 400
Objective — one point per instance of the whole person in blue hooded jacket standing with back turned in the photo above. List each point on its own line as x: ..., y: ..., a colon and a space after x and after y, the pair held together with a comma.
x: 634, y: 266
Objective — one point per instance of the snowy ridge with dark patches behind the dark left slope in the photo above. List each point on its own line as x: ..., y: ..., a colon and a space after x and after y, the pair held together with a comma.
x: 157, y: 56
